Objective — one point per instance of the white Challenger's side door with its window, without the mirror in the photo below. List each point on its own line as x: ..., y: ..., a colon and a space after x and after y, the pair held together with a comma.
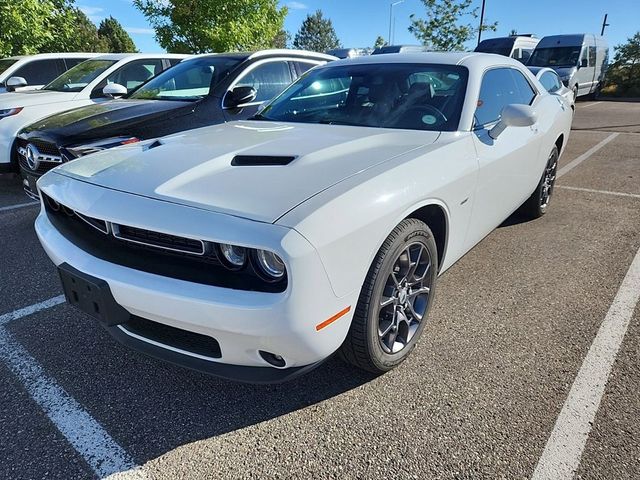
x: 507, y: 165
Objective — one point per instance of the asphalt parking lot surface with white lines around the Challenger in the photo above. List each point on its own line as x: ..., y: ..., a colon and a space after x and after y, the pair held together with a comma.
x: 502, y: 370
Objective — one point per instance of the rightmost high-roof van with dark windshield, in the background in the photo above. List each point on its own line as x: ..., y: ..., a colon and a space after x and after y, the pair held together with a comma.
x: 580, y: 60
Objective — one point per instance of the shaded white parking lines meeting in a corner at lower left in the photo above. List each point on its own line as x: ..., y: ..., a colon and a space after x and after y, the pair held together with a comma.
x: 84, y: 433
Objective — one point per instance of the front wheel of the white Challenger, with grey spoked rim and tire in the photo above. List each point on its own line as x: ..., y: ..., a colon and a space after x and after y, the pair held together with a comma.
x: 395, y: 299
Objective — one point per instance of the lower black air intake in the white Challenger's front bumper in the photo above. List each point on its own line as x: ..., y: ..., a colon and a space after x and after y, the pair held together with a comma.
x: 174, y: 337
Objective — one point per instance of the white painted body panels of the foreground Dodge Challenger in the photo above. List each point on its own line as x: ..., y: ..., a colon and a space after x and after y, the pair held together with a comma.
x: 326, y: 214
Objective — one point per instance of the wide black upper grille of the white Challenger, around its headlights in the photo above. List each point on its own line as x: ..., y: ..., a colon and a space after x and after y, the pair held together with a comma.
x: 88, y: 234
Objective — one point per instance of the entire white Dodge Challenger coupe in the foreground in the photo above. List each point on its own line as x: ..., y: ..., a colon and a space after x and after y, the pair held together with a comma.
x: 254, y: 250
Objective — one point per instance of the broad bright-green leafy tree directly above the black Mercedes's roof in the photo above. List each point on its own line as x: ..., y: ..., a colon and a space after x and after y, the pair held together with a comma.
x: 189, y: 26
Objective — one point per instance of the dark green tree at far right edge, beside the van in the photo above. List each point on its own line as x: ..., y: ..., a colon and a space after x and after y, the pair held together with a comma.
x: 623, y: 75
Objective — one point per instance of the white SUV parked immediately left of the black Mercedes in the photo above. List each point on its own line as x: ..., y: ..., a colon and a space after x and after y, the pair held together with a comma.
x: 90, y: 82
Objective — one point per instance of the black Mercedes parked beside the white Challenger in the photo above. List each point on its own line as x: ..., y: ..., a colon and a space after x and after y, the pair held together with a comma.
x: 204, y: 90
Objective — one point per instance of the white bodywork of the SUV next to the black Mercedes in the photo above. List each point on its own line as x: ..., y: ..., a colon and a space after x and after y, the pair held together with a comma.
x: 38, y: 104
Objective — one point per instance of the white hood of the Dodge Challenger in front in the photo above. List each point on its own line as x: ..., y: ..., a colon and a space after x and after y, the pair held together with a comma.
x: 195, y: 167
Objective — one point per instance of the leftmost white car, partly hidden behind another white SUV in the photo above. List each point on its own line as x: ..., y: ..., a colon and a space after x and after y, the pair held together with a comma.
x: 35, y: 71
